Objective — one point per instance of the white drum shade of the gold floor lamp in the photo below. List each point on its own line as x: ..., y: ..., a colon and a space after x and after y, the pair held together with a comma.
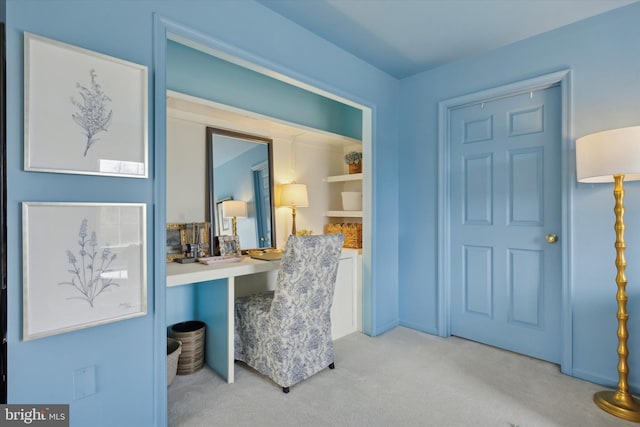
x: 601, y: 155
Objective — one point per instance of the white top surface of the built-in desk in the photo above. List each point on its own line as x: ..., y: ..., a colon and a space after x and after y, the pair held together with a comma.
x: 185, y: 274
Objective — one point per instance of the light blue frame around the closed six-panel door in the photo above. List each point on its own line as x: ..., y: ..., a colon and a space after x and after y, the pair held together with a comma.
x: 567, y: 174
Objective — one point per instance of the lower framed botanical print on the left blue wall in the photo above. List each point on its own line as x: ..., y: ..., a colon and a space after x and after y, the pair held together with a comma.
x: 84, y: 264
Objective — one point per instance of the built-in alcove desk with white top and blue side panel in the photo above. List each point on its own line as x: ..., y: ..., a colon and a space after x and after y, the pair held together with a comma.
x: 216, y: 293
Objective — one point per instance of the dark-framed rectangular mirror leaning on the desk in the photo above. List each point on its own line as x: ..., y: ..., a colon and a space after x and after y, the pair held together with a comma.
x: 240, y: 168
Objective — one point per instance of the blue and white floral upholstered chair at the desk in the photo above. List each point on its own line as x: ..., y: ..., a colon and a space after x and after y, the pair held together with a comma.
x: 286, y: 334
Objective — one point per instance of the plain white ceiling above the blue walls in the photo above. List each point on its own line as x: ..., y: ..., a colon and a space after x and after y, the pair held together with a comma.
x: 405, y: 37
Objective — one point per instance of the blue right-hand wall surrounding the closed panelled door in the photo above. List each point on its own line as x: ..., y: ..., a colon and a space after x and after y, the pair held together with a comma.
x: 602, y: 53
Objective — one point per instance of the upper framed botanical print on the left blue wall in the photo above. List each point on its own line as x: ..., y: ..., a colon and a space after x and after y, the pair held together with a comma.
x: 84, y: 112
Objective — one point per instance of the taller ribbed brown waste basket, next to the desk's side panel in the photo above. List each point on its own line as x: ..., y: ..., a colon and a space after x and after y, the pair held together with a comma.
x: 191, y: 335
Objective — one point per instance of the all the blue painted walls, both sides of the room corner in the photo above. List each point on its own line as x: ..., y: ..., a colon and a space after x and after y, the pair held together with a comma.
x: 602, y: 52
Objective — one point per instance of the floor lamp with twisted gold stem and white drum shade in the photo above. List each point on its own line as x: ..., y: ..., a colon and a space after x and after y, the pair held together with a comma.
x: 614, y: 156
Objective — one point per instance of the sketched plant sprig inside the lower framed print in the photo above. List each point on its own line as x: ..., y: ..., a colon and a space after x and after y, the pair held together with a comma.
x: 88, y: 273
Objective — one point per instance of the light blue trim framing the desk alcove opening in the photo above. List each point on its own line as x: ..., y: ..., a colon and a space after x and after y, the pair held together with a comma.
x: 165, y: 29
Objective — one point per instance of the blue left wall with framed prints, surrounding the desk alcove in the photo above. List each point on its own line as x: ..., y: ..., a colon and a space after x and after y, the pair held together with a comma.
x: 128, y: 356
